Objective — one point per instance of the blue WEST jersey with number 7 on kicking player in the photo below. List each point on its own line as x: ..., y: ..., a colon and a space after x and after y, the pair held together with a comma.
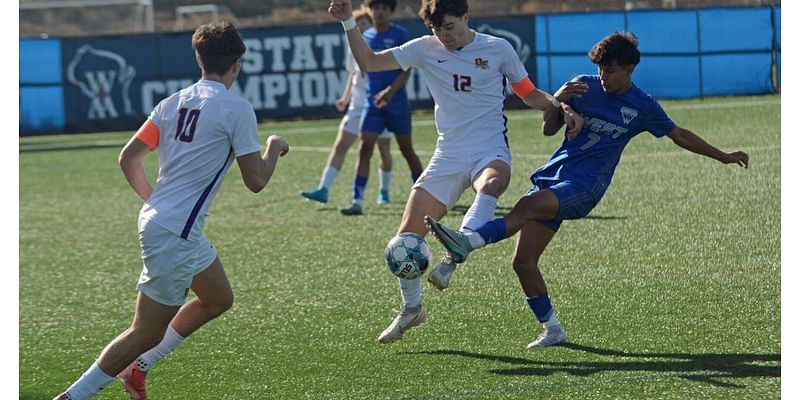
x: 611, y: 121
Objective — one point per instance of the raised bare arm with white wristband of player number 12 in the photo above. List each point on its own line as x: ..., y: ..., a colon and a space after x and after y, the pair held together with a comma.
x: 367, y: 60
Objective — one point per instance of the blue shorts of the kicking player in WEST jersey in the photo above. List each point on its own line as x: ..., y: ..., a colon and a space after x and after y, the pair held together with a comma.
x: 574, y: 201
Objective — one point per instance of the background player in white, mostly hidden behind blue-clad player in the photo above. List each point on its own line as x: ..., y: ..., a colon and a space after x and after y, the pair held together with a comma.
x: 355, y: 93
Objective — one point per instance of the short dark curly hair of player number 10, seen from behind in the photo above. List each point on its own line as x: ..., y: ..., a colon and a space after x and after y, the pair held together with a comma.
x: 218, y: 46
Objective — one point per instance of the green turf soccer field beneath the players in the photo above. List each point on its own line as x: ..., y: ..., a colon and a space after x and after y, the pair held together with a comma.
x: 669, y: 290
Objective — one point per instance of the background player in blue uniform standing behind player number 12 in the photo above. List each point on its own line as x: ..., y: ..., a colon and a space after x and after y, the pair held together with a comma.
x: 388, y: 106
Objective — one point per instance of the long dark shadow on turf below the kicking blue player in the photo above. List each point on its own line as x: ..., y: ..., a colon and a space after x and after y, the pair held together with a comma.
x: 702, y: 367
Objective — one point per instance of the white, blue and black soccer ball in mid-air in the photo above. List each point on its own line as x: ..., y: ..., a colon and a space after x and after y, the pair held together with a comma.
x: 407, y: 255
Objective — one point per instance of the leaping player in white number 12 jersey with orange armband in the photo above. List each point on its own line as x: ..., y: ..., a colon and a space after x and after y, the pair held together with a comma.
x: 466, y: 73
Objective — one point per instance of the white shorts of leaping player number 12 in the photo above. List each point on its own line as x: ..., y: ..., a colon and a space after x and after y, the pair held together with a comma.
x: 447, y: 176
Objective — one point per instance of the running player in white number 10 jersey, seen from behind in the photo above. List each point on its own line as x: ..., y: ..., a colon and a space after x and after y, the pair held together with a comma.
x: 198, y: 132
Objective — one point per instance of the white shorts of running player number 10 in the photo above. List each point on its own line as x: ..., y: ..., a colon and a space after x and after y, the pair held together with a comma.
x: 170, y: 263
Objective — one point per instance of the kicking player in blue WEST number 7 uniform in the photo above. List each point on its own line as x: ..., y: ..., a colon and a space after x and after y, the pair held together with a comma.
x: 575, y: 178
